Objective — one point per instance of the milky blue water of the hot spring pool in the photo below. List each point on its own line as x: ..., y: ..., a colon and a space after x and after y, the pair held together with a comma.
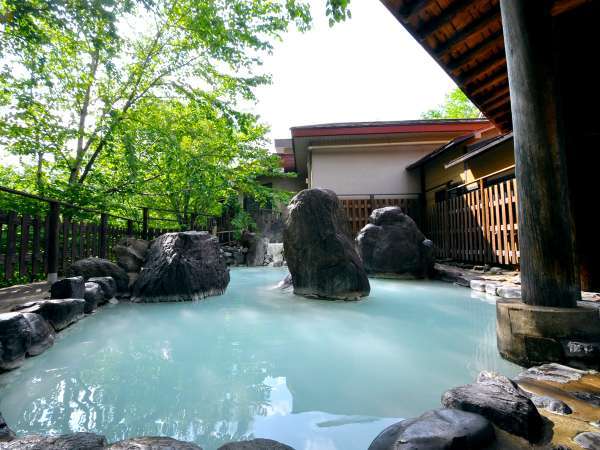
x: 257, y: 362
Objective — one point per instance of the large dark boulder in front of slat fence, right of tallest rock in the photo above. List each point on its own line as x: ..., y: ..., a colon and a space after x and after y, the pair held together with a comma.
x: 392, y: 243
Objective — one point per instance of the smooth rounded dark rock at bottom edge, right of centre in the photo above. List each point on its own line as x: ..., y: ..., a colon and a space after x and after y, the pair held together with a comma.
x: 440, y: 429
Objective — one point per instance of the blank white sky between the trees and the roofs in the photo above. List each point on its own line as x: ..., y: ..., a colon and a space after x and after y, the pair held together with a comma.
x: 366, y: 69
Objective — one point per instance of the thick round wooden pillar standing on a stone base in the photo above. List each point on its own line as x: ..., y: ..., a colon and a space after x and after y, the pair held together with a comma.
x: 549, y: 274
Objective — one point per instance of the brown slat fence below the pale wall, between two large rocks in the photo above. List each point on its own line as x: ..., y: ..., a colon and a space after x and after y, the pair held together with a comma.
x: 359, y: 210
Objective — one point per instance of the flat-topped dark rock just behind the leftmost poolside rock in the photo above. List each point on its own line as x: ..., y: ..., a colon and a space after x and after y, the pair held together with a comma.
x: 60, y: 313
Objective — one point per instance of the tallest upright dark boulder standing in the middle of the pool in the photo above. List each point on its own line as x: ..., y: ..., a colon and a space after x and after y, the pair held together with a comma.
x: 318, y: 248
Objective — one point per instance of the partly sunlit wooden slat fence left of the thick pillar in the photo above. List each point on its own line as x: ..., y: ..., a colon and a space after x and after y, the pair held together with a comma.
x: 479, y: 226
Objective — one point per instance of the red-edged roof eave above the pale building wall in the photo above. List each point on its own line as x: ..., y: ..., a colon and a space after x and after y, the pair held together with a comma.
x: 405, y: 126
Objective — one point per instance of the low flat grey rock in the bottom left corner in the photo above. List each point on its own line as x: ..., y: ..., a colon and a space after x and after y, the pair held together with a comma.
x: 75, y: 441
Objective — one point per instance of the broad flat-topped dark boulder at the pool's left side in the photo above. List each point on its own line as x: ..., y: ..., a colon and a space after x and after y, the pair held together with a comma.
x: 182, y: 266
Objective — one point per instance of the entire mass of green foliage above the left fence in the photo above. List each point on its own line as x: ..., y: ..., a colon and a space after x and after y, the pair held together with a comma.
x: 118, y: 104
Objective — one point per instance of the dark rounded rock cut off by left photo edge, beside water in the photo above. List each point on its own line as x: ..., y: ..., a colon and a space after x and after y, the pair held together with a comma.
x: 22, y: 334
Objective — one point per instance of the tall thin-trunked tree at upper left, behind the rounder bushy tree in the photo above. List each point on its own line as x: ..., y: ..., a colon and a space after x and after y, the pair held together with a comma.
x: 74, y: 73
